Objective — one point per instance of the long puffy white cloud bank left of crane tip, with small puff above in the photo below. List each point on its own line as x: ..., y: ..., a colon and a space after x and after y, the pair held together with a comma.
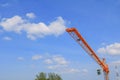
x: 33, y: 30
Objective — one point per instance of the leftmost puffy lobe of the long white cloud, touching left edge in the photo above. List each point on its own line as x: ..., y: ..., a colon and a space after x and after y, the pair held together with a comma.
x: 12, y: 24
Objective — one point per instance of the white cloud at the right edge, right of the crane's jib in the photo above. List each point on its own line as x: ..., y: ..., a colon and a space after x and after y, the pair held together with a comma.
x: 113, y: 49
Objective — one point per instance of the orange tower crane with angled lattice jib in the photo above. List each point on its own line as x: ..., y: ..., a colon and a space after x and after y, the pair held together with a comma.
x: 81, y: 41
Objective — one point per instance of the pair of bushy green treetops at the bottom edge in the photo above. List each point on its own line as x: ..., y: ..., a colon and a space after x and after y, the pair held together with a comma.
x: 50, y: 76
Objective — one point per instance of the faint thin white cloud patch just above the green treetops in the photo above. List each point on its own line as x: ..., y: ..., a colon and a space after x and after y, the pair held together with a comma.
x: 60, y: 64
